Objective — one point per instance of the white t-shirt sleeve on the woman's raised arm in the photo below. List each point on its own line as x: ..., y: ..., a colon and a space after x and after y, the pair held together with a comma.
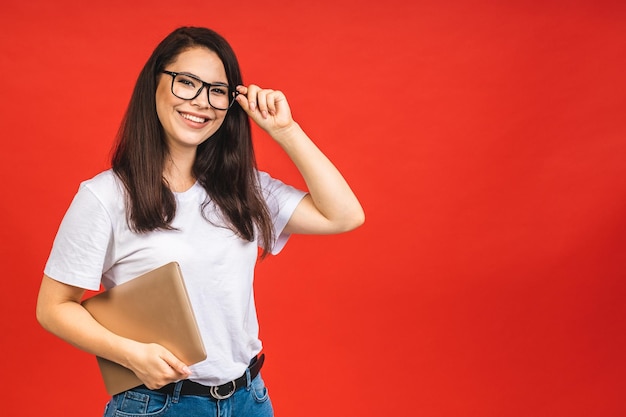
x: 282, y: 200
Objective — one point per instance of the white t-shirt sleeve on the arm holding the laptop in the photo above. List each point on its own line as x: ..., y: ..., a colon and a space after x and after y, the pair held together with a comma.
x: 82, y: 242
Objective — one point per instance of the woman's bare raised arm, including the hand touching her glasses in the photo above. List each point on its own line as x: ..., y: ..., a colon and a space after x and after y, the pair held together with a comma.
x: 330, y: 206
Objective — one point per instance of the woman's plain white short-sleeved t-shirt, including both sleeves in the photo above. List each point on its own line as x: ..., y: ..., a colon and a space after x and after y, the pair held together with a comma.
x: 94, y: 246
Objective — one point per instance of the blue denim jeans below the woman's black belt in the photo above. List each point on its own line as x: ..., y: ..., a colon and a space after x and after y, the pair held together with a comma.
x: 250, y: 401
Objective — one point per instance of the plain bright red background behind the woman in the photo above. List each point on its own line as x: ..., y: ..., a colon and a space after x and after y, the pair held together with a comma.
x: 486, y: 142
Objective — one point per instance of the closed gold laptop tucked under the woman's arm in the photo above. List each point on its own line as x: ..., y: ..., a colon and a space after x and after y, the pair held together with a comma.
x: 152, y: 308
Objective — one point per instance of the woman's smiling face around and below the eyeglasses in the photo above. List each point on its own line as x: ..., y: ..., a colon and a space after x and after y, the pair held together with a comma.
x: 188, y: 123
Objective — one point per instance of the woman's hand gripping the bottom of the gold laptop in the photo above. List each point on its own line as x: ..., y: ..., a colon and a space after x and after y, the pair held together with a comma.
x: 154, y: 365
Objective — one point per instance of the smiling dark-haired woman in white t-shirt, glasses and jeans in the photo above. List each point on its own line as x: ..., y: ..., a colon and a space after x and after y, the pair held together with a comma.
x: 184, y: 187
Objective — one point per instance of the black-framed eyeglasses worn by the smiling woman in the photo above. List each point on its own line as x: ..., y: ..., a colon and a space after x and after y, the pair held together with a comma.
x: 188, y: 87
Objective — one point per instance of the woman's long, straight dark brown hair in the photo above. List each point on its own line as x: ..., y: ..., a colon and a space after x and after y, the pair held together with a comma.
x: 225, y: 164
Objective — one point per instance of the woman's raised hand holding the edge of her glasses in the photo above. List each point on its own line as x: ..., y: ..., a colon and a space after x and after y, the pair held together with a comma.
x: 267, y: 108
